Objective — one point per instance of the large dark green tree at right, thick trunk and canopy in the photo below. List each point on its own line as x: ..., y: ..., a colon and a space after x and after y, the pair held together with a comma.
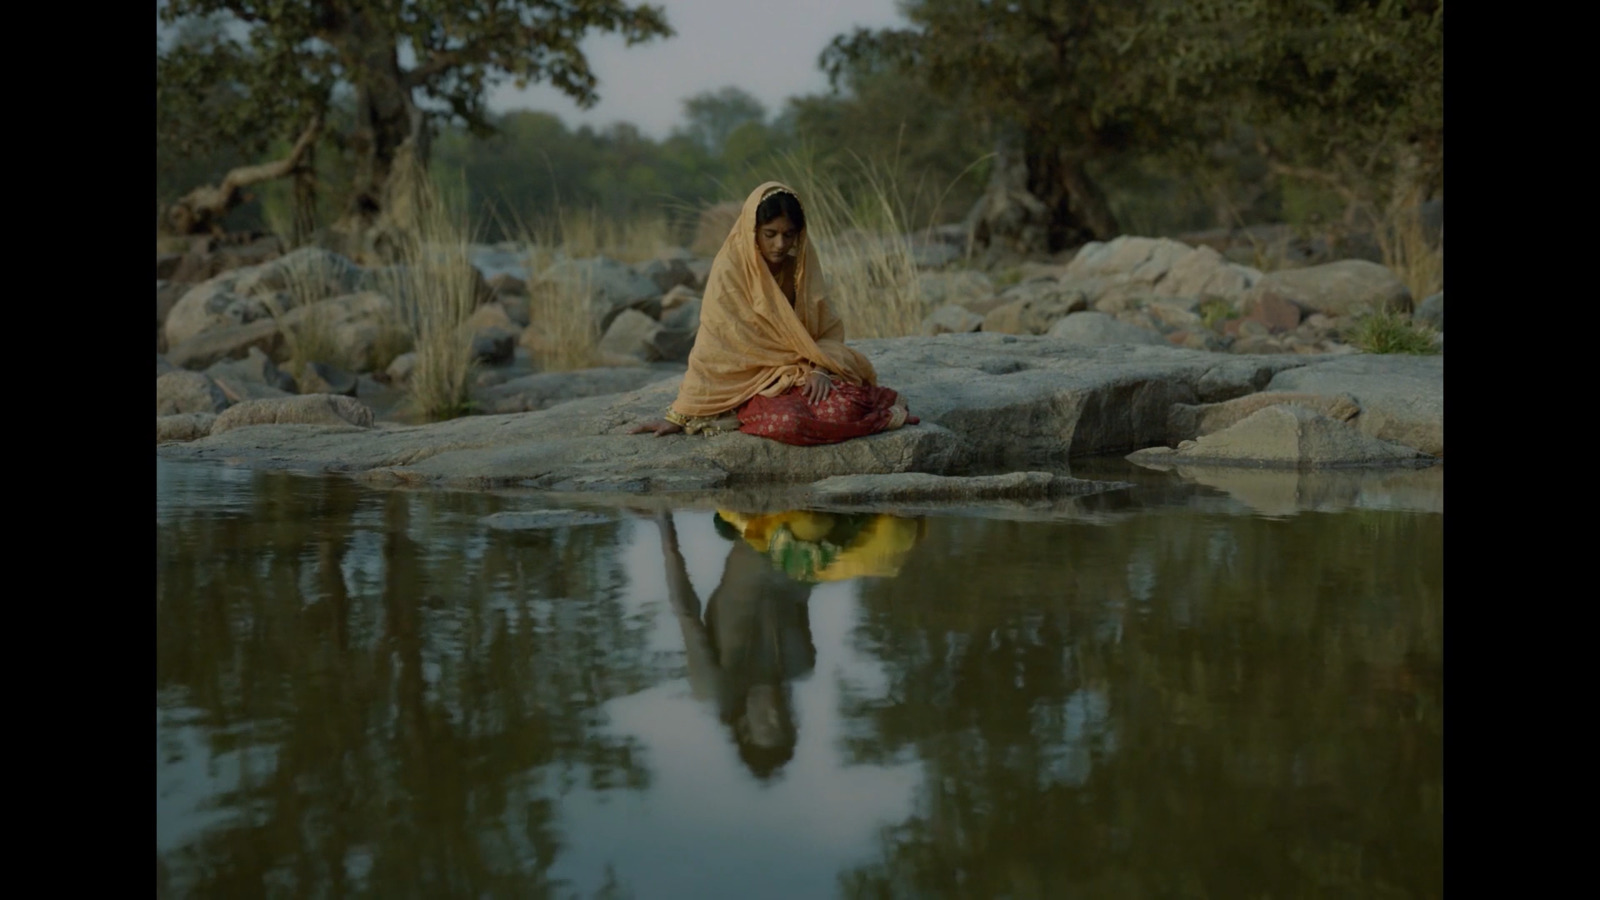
x: 1071, y: 86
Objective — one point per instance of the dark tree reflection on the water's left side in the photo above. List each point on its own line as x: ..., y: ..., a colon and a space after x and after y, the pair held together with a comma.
x: 412, y: 694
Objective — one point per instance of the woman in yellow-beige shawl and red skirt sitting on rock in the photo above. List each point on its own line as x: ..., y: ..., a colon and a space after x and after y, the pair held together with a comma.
x: 770, y: 356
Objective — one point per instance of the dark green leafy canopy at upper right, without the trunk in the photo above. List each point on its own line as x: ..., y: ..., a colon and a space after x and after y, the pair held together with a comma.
x: 1222, y: 94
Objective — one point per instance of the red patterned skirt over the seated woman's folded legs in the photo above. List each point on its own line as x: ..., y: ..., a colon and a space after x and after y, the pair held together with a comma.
x: 850, y: 411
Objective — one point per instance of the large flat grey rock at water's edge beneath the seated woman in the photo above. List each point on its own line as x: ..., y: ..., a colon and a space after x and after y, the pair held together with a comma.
x: 990, y: 403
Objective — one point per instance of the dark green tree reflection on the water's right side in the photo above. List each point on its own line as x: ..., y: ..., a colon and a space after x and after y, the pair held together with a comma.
x: 1169, y: 705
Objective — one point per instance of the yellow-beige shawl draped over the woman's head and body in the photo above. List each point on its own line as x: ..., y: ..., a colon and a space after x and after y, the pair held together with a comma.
x: 751, y: 340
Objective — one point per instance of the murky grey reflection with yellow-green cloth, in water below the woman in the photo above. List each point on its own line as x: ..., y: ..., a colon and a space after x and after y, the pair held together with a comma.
x: 756, y: 637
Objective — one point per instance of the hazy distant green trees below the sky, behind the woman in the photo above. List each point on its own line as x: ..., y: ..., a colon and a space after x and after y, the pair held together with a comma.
x: 534, y: 172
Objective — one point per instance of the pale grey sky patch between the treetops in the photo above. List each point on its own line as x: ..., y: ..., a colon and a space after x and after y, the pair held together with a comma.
x: 766, y: 47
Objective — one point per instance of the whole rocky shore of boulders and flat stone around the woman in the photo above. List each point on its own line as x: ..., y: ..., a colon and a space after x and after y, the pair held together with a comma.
x: 1119, y: 353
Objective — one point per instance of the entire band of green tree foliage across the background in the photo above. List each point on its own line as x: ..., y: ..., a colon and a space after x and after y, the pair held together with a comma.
x: 1186, y: 116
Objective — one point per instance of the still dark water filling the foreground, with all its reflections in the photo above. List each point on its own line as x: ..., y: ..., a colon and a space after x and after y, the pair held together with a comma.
x: 1188, y: 689
